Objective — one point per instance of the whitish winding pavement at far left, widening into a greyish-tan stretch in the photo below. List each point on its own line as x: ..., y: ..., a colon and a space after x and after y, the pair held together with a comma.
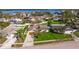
x: 10, y: 37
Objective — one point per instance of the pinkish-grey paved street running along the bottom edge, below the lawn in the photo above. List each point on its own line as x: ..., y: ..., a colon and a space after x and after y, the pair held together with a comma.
x: 57, y: 45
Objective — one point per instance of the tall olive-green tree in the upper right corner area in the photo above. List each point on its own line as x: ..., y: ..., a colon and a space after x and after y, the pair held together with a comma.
x: 69, y: 17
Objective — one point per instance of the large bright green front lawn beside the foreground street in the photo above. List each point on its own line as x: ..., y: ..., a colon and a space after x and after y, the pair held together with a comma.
x: 52, y: 36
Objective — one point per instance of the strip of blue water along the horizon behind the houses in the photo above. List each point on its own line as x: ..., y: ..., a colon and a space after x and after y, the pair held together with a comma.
x: 29, y: 10
